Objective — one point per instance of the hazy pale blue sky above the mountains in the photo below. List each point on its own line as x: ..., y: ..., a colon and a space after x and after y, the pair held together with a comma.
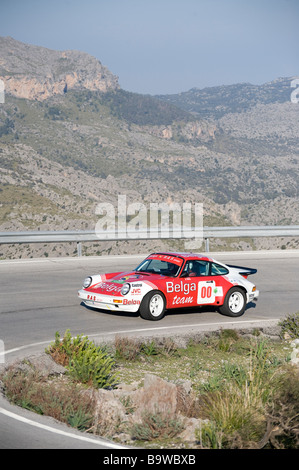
x: 167, y: 46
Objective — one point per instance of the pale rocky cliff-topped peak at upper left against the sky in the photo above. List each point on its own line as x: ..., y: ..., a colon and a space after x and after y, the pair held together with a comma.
x: 37, y: 73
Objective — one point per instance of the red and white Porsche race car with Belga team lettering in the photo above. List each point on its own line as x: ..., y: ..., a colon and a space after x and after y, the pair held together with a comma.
x: 172, y: 280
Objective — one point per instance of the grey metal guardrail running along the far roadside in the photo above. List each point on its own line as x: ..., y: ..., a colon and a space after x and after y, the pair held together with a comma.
x: 92, y: 236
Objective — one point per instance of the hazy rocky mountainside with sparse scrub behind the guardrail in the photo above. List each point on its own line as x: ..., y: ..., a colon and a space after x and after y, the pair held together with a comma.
x: 70, y: 138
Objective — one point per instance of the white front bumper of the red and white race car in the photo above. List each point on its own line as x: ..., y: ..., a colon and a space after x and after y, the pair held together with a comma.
x: 109, y: 302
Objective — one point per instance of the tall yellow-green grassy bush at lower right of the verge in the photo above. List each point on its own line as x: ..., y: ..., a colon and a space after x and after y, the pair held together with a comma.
x: 236, y: 406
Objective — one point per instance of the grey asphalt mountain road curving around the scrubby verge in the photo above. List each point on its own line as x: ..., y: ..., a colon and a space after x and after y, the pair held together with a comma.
x: 39, y: 297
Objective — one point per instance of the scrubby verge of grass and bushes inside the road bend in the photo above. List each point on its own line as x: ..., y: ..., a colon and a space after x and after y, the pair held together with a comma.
x: 244, y: 391
